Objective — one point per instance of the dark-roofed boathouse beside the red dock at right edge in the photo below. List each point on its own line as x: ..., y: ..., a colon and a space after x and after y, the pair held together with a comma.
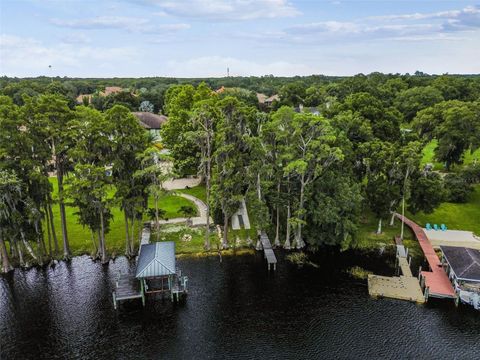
x: 462, y: 266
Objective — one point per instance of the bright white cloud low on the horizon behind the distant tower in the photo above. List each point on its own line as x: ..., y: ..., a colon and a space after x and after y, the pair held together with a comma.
x: 216, y: 66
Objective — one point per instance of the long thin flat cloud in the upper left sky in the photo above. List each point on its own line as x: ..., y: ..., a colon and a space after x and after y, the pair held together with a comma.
x: 132, y: 24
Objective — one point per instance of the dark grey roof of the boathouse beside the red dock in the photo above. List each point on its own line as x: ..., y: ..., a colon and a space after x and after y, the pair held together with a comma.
x: 465, y: 262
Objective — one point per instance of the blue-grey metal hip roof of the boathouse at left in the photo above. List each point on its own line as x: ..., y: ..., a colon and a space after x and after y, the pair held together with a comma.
x: 156, y: 259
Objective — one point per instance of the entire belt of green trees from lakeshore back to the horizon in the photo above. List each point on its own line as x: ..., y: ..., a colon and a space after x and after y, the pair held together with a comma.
x: 306, y: 176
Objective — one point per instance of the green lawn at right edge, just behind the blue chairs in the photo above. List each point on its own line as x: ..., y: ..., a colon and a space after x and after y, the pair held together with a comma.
x: 455, y: 216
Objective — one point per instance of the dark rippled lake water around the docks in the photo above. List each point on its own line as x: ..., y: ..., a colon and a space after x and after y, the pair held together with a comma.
x: 235, y: 310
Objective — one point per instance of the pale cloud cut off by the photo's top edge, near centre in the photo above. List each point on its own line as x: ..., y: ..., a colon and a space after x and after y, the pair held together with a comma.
x: 226, y: 9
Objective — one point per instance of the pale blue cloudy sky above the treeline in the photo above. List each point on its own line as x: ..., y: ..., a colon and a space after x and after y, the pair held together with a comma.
x: 202, y: 38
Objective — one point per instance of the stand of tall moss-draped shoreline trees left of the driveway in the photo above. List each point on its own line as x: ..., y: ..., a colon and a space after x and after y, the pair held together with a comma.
x: 97, y: 159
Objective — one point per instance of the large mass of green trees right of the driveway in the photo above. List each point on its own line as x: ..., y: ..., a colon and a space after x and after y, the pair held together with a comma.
x: 310, y: 176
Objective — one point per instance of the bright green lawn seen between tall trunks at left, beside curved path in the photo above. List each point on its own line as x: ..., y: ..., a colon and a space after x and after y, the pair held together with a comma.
x: 80, y: 238
